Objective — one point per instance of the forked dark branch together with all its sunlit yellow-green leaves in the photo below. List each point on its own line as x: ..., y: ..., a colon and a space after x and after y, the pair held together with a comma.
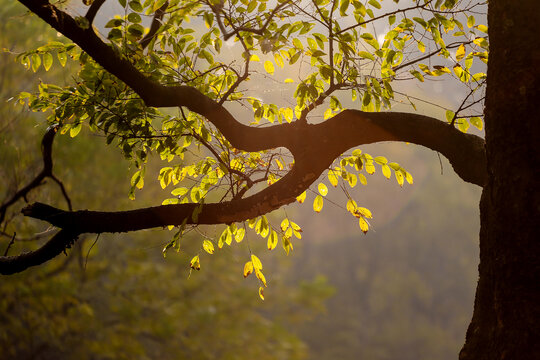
x: 181, y: 79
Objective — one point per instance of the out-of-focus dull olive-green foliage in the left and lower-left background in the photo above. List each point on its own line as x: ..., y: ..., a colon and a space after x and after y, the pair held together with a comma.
x: 106, y: 300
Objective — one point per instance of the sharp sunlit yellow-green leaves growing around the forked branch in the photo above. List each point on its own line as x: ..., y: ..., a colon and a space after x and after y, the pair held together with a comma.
x: 331, y: 45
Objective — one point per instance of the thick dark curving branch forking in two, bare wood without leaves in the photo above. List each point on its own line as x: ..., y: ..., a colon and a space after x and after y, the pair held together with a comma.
x: 314, y: 147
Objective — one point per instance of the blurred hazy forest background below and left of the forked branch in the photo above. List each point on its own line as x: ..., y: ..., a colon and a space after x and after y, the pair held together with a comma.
x: 405, y: 291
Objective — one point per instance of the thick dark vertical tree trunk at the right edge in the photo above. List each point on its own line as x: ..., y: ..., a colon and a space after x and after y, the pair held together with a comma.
x: 506, y: 318
